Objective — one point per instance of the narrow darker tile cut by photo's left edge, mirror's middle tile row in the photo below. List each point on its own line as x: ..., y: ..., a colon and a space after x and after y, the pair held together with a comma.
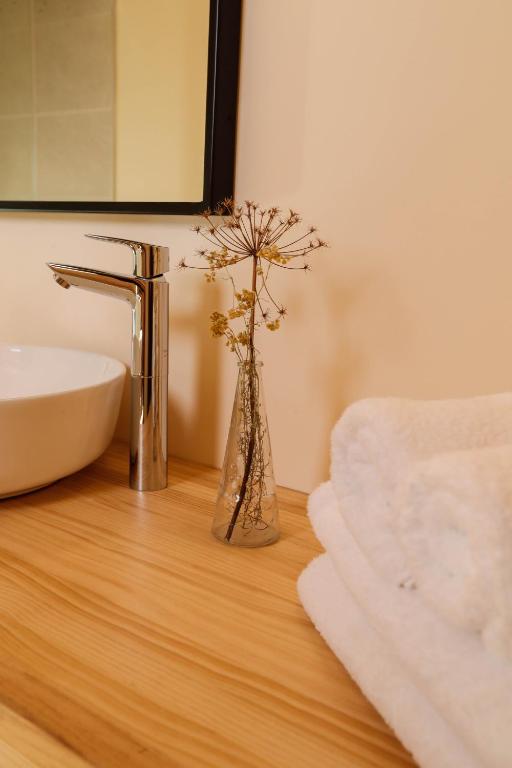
x: 15, y: 70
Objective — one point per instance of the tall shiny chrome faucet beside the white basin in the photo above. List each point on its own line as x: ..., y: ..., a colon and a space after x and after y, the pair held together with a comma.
x: 147, y: 291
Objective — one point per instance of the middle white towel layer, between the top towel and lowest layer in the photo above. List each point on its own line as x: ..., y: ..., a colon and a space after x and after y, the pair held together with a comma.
x: 470, y: 687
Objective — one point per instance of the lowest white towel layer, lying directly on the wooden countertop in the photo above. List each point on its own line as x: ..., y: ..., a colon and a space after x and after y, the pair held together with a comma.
x: 377, y: 670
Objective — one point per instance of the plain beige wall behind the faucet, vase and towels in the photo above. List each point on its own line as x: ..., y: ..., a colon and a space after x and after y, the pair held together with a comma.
x: 388, y: 124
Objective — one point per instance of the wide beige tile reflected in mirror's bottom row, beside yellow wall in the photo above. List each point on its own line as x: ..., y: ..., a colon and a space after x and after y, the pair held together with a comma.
x: 74, y: 157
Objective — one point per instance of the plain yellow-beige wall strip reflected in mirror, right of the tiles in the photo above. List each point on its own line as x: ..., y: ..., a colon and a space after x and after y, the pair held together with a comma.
x: 160, y: 106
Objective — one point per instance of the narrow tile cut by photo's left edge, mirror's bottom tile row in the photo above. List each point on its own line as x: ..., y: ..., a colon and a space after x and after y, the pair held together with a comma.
x: 16, y: 153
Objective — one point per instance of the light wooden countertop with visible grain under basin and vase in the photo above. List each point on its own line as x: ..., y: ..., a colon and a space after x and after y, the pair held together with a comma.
x: 131, y: 638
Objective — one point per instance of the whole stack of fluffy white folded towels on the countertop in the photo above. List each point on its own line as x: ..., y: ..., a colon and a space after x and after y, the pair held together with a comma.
x: 414, y: 591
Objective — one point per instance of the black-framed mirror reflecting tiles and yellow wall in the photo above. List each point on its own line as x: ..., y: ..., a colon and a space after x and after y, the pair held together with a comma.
x: 117, y: 105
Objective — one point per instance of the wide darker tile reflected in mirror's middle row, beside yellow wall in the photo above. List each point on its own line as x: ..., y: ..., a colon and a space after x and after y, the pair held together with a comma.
x: 74, y: 64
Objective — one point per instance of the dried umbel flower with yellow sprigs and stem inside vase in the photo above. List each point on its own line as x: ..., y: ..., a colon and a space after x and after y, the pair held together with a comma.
x: 267, y: 239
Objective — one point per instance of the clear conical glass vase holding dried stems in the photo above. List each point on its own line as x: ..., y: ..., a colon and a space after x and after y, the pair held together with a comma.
x: 246, y: 513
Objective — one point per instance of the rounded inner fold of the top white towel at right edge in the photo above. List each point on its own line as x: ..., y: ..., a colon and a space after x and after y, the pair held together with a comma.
x: 455, y: 525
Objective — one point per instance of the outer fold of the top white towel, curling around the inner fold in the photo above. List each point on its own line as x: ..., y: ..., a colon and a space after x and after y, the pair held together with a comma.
x: 375, y: 443
